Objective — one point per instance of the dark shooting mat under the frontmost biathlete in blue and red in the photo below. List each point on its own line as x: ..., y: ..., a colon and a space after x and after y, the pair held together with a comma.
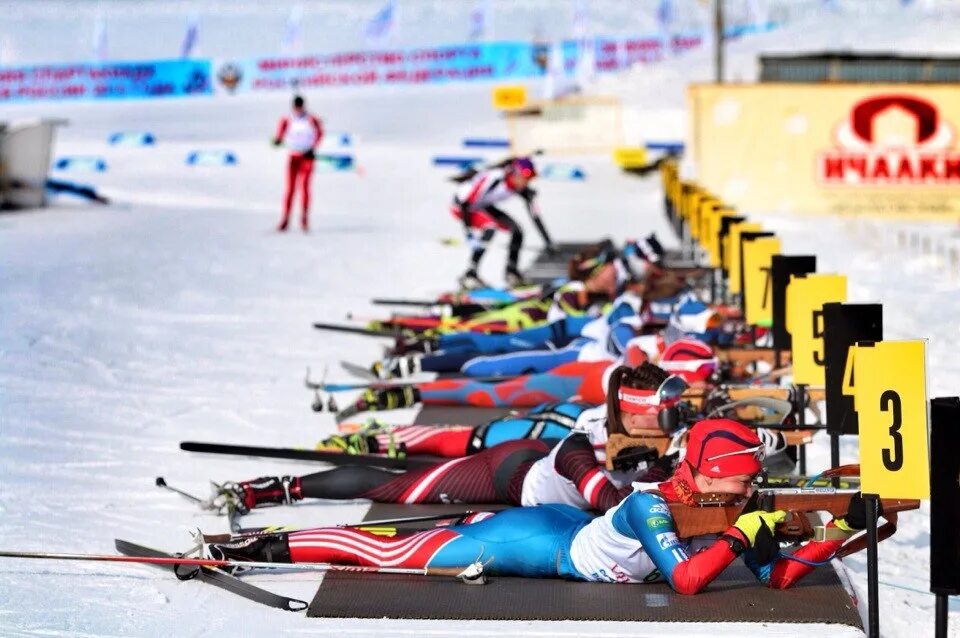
x: 735, y: 596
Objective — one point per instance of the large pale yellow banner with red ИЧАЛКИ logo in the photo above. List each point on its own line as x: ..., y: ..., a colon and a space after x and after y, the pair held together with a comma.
x: 891, y: 150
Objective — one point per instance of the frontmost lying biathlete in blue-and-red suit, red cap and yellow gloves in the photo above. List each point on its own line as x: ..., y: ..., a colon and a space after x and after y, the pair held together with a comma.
x: 634, y: 542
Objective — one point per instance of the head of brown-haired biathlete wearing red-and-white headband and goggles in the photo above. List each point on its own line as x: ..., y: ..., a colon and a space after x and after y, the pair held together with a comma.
x: 637, y: 396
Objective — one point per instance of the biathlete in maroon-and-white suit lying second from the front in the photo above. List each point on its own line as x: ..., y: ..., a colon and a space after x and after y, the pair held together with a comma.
x: 521, y: 472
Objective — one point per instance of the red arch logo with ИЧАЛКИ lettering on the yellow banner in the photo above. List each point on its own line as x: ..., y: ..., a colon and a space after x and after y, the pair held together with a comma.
x: 891, y: 140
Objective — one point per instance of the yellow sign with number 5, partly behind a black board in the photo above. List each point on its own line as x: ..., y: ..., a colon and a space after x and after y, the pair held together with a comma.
x: 804, y: 321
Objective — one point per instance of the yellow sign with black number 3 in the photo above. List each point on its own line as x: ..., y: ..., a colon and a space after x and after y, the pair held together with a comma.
x: 890, y: 396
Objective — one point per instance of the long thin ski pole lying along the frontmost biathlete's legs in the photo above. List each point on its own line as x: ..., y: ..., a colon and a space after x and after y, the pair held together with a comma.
x: 471, y: 574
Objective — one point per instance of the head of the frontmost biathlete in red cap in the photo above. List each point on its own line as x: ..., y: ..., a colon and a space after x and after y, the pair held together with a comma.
x: 722, y: 456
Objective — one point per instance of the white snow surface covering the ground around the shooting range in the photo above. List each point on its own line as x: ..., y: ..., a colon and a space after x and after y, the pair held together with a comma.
x: 179, y: 314
